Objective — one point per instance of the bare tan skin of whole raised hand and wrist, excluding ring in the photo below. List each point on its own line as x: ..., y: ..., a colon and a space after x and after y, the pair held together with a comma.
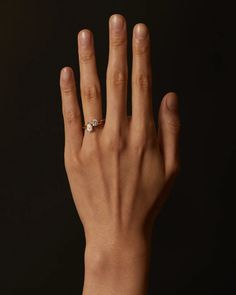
x: 121, y: 173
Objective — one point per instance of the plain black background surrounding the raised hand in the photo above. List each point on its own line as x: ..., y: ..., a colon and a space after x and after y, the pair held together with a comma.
x: 41, y: 236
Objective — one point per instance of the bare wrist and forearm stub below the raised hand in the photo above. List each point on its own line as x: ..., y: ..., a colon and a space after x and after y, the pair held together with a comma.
x: 121, y: 269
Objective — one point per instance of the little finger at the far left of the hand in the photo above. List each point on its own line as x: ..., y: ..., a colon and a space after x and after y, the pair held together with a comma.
x: 71, y: 111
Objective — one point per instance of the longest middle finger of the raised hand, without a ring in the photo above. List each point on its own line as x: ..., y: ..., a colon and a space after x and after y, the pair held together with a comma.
x: 117, y: 72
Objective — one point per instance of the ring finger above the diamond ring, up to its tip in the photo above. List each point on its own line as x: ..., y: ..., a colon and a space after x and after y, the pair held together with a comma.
x: 89, y: 81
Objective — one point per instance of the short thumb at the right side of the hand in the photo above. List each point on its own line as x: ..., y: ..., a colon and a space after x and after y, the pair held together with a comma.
x: 168, y: 133
